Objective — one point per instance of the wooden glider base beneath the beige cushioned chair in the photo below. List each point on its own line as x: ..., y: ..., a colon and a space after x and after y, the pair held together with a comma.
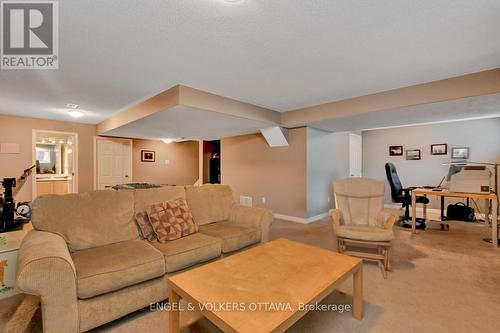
x: 382, y: 257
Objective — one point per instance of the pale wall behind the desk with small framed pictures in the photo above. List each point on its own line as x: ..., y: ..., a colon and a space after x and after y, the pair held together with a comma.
x: 482, y: 136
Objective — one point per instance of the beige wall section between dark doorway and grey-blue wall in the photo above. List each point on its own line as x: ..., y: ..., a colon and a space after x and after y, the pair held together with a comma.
x: 252, y: 168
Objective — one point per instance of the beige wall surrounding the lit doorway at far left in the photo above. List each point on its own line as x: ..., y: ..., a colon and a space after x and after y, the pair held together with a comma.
x: 19, y: 130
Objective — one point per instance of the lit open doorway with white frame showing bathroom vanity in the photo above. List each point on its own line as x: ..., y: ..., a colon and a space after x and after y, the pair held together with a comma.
x: 55, y: 155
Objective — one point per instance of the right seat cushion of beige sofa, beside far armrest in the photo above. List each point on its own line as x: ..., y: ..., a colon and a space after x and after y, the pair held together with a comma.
x: 233, y: 236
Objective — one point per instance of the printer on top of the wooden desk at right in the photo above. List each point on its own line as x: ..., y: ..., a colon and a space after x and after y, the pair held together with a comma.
x: 472, y: 179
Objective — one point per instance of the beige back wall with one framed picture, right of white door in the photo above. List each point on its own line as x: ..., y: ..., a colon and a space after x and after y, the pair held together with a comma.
x: 182, y: 167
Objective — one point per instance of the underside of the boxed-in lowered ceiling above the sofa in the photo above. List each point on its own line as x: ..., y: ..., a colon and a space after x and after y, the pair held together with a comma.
x: 188, y: 123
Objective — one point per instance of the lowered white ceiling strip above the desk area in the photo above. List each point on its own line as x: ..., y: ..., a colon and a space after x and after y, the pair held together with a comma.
x: 486, y: 106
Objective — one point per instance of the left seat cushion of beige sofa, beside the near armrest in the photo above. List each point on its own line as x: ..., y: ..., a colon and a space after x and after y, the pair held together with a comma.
x: 111, y: 267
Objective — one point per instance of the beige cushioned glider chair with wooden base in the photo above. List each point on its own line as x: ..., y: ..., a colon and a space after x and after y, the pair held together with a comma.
x: 362, y: 227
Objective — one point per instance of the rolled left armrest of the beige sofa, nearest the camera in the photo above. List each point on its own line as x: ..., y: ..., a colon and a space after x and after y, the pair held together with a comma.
x: 45, y: 269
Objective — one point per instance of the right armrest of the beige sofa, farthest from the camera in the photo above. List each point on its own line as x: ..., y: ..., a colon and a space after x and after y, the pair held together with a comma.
x: 259, y: 217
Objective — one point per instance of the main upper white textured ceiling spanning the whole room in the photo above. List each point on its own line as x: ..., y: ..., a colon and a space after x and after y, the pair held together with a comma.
x: 277, y: 54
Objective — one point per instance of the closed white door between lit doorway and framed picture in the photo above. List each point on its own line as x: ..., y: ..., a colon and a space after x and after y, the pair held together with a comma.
x: 113, y: 162
